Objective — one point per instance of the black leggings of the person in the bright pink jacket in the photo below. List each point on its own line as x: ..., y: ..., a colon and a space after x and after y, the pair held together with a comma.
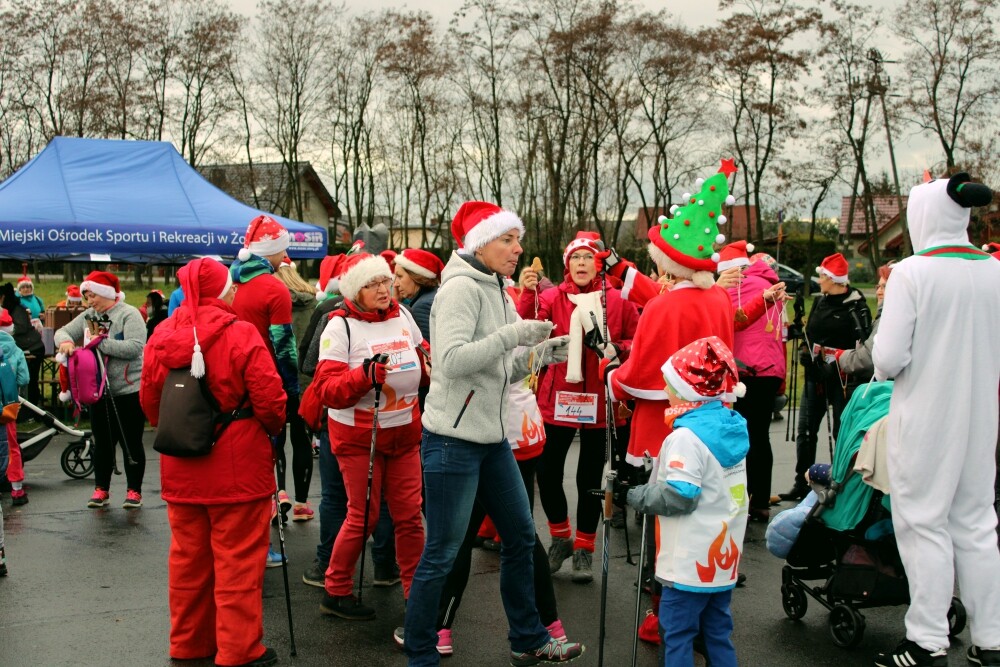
x: 757, y: 407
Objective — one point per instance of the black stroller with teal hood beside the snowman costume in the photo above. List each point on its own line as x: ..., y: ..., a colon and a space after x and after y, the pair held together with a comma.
x: 857, y: 565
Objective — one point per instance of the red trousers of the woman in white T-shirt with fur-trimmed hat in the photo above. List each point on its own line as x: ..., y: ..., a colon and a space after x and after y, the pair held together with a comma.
x: 397, y: 474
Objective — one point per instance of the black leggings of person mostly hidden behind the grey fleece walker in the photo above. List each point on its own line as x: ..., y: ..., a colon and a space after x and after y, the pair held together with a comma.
x: 454, y: 586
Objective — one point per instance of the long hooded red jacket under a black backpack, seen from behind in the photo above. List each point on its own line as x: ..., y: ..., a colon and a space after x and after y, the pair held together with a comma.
x: 238, y: 364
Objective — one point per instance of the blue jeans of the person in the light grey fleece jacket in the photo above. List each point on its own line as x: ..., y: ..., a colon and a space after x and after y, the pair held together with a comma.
x: 457, y: 472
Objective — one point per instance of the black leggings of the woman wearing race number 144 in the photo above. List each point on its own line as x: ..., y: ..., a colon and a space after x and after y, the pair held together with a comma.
x: 588, y: 475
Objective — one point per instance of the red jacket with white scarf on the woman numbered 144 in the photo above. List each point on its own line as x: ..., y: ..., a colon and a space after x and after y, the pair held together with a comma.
x: 555, y: 306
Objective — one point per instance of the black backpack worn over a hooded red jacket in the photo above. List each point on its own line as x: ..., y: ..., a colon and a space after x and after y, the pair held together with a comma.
x: 190, y: 419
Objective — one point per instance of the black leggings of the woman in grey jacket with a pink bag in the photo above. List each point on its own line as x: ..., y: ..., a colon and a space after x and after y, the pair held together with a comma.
x: 105, y: 417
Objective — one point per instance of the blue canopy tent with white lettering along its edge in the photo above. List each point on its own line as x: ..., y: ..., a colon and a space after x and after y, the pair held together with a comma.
x: 126, y: 201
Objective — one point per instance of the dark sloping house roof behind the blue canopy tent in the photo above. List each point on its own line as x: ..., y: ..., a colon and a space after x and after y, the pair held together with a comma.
x: 270, y: 182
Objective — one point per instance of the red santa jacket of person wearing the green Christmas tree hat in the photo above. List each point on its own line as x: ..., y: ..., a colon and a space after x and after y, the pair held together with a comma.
x: 668, y: 323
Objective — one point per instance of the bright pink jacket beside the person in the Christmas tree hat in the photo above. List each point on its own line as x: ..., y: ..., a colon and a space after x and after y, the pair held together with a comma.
x: 754, y: 346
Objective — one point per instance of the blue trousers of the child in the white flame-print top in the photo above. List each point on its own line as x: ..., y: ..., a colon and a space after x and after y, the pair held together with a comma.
x: 683, y: 614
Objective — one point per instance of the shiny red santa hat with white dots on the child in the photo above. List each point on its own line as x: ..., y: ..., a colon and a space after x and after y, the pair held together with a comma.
x: 704, y: 370
